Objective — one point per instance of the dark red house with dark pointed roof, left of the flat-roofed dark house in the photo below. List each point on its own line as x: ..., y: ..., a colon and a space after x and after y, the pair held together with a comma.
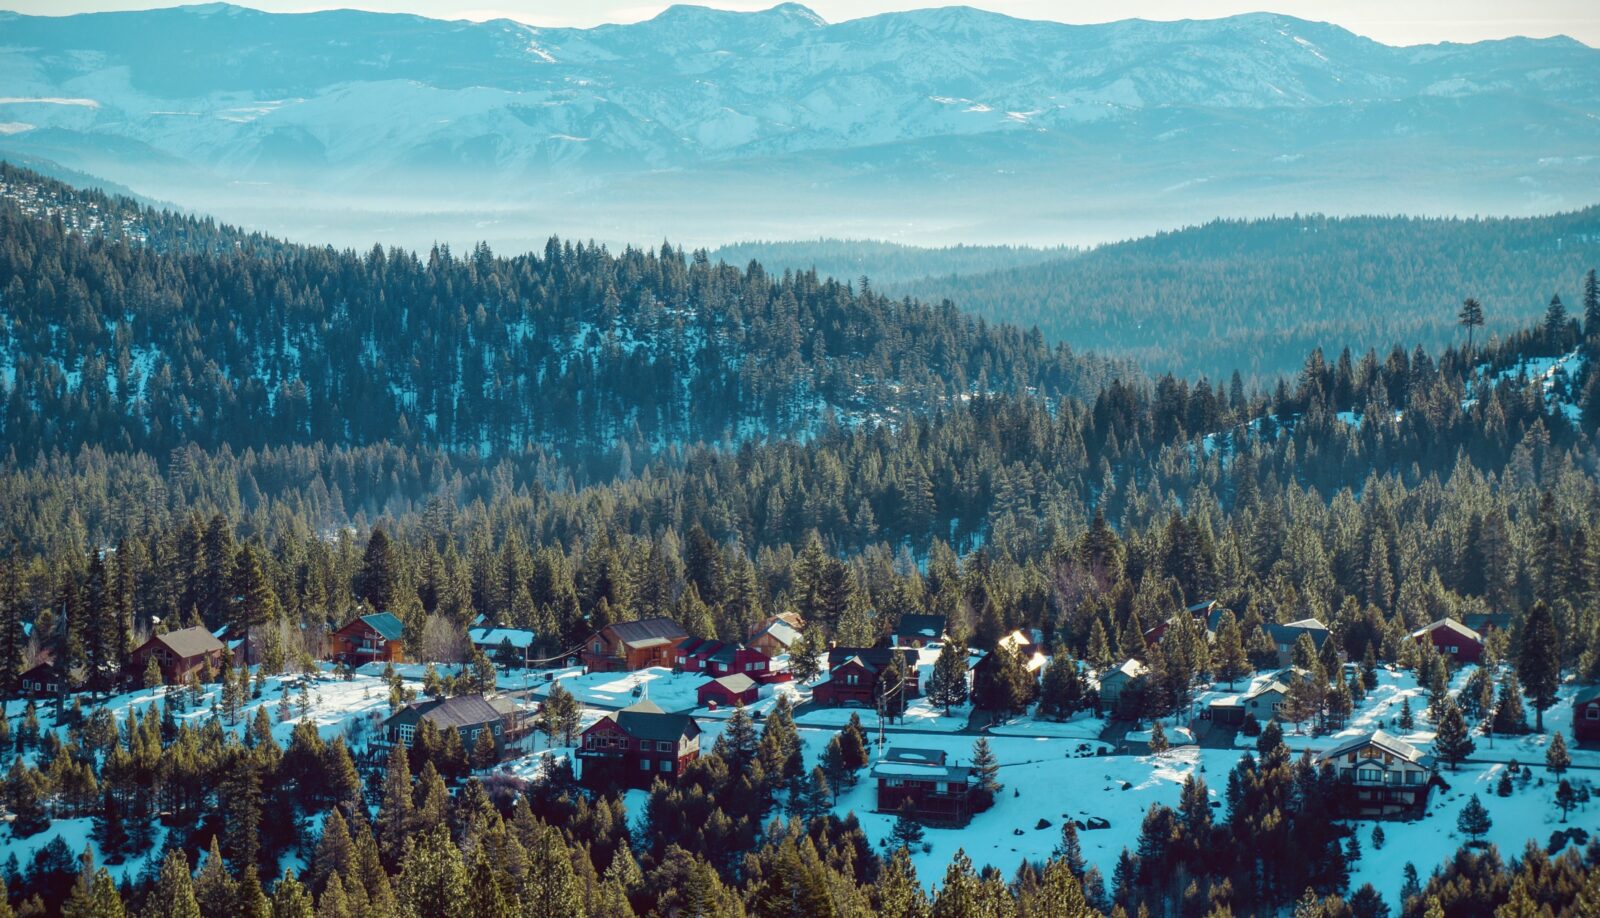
x: 636, y: 746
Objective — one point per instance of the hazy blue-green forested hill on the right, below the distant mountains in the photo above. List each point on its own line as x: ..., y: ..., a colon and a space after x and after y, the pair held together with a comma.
x: 1258, y: 295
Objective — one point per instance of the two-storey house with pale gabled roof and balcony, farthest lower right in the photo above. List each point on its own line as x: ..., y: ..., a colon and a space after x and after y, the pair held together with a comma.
x: 1382, y: 776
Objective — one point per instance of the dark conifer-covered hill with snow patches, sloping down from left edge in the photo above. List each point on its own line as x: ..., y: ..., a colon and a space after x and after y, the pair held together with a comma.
x: 214, y: 337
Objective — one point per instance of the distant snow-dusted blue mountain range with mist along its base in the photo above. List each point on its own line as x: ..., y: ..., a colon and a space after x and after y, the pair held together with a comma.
x: 934, y: 126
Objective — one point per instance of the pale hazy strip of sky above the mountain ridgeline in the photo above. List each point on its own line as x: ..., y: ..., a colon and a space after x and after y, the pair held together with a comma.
x: 1398, y: 23
